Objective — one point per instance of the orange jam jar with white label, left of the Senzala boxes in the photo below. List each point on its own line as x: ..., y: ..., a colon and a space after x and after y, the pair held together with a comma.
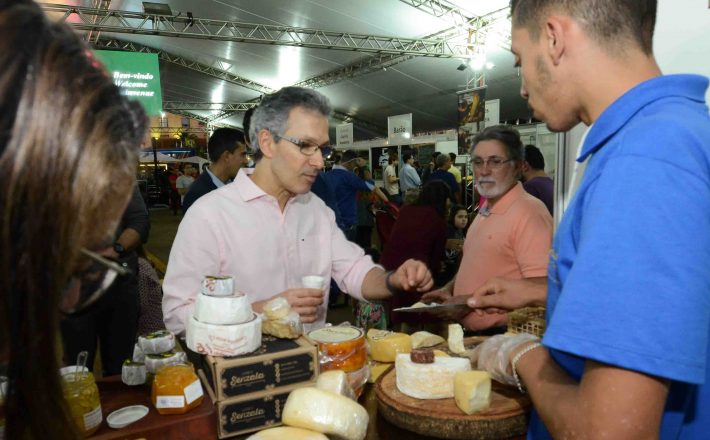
x: 176, y: 389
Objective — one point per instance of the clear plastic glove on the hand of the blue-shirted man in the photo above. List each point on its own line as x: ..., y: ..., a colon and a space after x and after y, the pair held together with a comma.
x: 495, y: 353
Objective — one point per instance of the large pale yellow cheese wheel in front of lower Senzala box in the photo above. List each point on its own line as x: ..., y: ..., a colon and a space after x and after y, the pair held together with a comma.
x: 325, y: 412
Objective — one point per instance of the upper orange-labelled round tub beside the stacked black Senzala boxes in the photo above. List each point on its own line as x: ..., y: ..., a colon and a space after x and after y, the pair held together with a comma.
x: 340, y: 348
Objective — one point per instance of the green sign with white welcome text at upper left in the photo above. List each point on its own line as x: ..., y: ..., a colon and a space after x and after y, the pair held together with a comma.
x: 138, y: 76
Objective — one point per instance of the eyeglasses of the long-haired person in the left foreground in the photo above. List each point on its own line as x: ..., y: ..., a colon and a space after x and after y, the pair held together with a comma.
x: 87, y: 286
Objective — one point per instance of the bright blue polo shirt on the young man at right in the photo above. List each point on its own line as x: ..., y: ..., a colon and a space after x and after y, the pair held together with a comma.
x: 629, y: 275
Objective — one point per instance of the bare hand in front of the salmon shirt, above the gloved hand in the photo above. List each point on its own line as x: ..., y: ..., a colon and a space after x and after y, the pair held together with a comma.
x: 501, y: 294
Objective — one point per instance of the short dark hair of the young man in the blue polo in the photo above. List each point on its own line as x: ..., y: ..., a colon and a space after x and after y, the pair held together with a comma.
x: 607, y: 21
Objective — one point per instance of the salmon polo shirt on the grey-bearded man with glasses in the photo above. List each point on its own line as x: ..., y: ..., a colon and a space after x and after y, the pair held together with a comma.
x: 512, y: 241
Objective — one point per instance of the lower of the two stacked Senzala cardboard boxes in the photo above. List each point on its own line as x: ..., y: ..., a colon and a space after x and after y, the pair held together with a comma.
x: 256, y: 411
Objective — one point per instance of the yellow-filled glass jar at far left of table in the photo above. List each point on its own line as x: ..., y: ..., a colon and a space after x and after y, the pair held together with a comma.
x: 82, y: 396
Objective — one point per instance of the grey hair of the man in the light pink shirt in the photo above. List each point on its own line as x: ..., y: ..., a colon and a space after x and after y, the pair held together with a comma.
x: 272, y: 113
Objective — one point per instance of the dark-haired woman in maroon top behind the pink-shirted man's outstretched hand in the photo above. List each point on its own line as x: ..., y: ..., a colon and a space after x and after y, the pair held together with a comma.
x: 420, y: 233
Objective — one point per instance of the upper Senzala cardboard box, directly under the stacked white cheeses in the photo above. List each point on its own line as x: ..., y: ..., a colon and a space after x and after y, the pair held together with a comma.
x: 276, y: 364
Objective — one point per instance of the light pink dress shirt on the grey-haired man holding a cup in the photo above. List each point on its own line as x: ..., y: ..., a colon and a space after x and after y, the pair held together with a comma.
x: 240, y: 231
